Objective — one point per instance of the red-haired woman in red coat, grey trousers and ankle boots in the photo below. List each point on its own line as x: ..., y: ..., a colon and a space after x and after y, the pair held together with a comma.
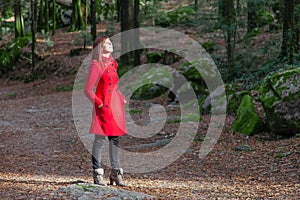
x: 108, y: 117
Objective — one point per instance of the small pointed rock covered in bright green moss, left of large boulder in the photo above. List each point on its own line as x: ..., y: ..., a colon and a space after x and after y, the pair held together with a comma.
x: 247, y: 120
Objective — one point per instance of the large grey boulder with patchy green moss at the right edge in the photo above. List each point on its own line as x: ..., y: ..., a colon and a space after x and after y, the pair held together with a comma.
x: 280, y: 97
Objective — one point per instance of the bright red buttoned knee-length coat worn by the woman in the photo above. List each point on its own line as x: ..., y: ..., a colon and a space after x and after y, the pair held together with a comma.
x: 109, y: 120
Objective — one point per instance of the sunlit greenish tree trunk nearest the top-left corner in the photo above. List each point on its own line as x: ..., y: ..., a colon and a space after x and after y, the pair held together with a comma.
x: 19, y: 21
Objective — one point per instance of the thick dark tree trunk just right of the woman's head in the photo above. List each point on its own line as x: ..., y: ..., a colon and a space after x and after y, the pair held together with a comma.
x: 129, y: 20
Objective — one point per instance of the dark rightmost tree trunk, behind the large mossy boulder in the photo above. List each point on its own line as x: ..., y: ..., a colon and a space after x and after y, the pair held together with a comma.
x: 288, y: 37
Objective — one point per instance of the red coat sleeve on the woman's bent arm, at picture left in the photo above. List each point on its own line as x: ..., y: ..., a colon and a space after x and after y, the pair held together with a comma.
x: 91, y: 81
